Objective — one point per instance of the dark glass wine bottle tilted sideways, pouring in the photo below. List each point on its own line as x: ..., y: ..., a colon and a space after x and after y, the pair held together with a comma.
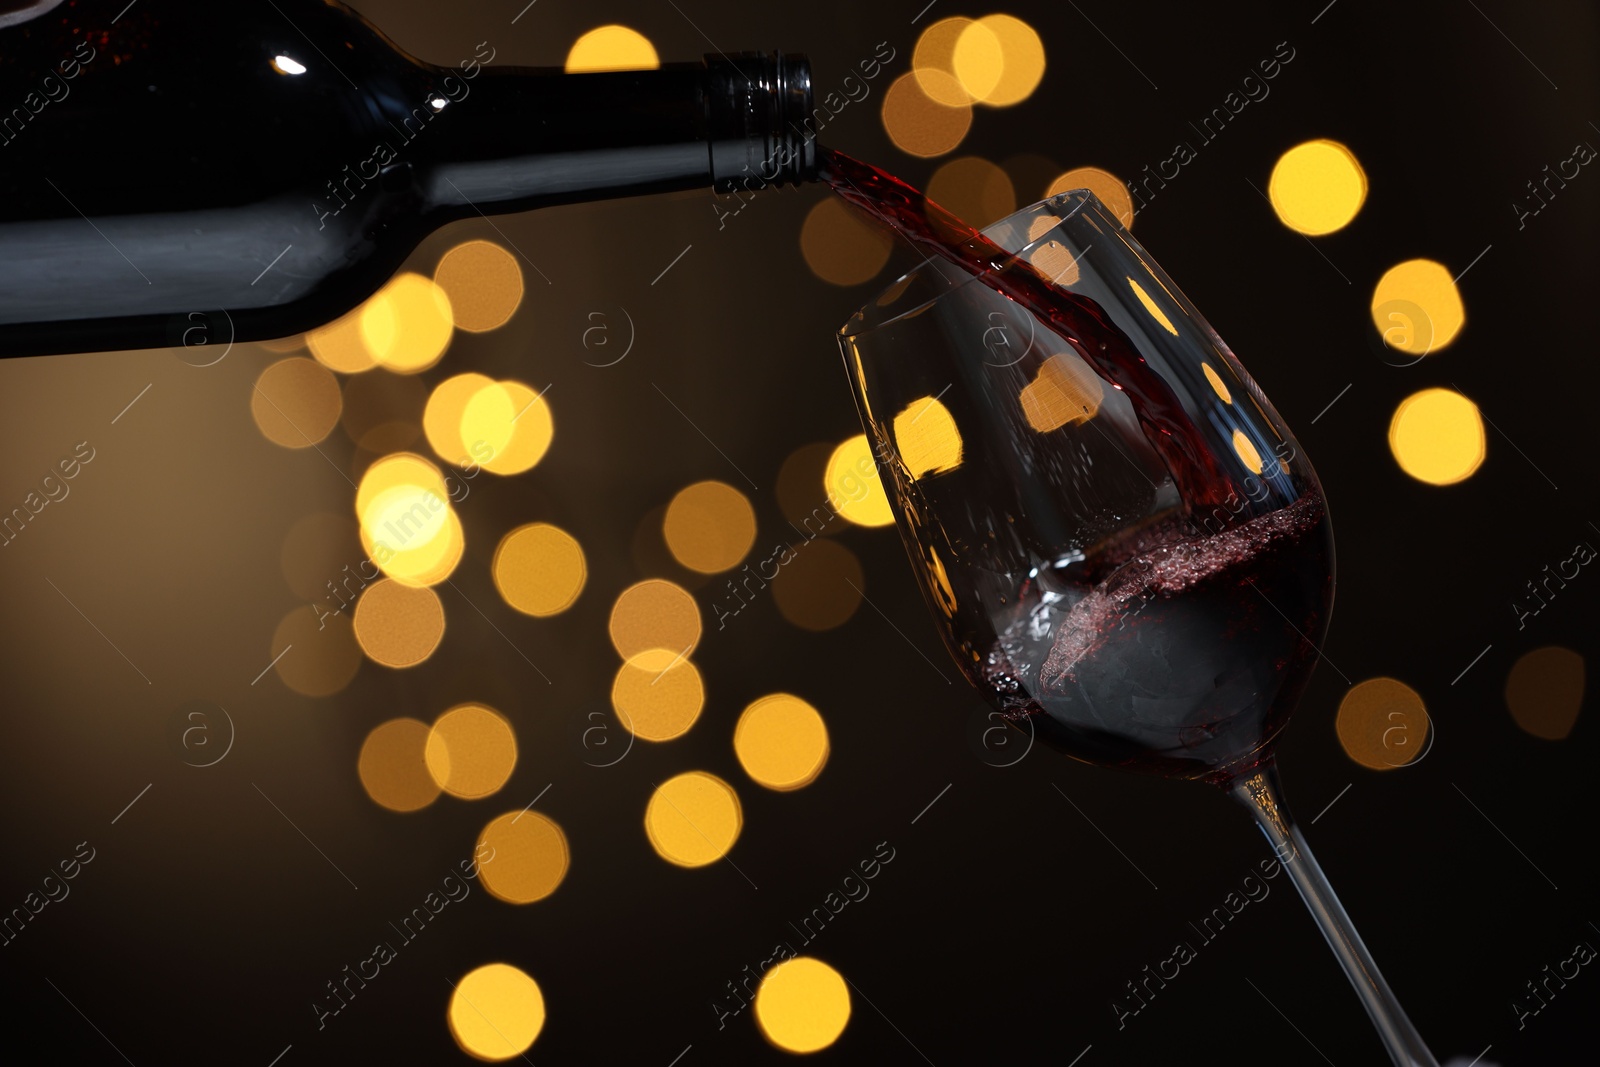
x: 178, y: 174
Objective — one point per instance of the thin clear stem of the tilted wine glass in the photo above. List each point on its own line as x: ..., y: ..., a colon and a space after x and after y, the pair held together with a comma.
x: 1260, y: 793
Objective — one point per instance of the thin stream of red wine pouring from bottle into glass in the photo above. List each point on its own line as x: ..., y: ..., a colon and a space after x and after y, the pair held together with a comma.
x: 1079, y: 321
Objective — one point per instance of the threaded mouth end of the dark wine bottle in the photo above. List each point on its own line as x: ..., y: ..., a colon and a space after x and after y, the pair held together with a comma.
x: 759, y: 111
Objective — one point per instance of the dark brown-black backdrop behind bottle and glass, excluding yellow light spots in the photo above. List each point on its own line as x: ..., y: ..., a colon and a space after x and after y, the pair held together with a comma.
x: 1007, y: 924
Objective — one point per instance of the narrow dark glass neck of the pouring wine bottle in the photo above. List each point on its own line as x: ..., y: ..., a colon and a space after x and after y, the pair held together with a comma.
x: 522, y: 138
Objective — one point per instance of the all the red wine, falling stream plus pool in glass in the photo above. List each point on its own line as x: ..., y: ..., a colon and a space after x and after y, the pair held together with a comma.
x: 1177, y: 649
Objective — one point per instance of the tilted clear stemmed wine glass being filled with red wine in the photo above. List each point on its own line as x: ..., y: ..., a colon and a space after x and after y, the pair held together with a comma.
x: 1137, y: 562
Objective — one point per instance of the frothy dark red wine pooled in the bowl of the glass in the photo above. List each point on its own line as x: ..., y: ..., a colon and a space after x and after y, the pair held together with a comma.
x: 1166, y: 650
